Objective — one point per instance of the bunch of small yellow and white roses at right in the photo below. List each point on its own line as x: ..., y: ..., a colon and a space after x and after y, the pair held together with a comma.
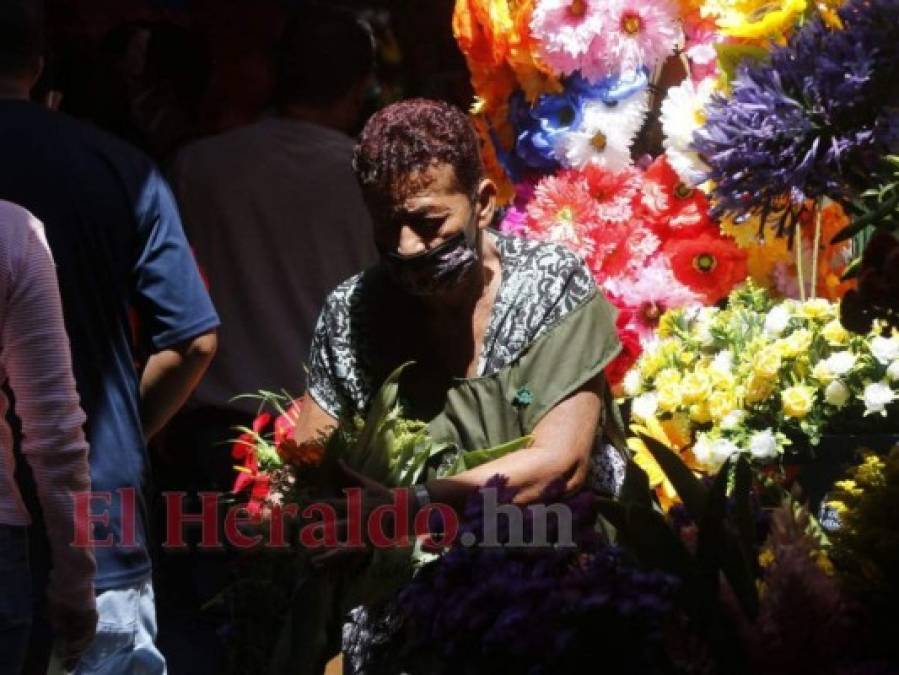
x: 758, y: 376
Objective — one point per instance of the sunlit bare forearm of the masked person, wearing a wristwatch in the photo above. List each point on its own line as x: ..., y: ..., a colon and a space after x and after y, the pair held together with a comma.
x: 563, y: 441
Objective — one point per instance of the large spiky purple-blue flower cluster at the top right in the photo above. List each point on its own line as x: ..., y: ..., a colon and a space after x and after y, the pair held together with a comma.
x: 815, y: 120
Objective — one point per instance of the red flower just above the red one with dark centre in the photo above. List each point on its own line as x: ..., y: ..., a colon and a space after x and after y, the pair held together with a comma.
x: 671, y: 206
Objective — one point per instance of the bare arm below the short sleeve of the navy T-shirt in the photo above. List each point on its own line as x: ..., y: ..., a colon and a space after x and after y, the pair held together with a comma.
x: 169, y: 378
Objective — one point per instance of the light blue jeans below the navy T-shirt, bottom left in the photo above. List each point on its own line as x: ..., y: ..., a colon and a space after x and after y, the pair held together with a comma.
x: 126, y: 634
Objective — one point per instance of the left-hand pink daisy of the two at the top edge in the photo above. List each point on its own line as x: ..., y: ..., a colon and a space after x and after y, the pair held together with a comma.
x: 565, y: 31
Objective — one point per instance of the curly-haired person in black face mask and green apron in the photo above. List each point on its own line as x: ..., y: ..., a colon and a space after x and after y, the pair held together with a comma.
x: 509, y: 336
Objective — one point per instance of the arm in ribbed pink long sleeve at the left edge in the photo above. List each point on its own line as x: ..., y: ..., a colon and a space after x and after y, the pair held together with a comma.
x: 37, y: 360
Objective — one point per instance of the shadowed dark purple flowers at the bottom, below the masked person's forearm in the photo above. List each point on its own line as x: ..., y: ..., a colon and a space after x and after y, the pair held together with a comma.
x: 531, y: 609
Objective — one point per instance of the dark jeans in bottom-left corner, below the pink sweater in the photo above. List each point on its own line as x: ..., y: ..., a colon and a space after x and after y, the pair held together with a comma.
x: 15, y: 598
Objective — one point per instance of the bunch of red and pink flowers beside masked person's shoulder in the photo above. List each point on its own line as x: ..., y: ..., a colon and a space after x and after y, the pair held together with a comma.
x: 647, y: 237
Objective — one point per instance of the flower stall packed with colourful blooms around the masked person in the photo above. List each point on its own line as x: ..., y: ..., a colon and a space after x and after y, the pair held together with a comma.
x: 754, y: 529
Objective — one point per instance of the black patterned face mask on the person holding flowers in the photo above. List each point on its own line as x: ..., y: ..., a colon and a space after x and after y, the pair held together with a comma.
x: 436, y: 270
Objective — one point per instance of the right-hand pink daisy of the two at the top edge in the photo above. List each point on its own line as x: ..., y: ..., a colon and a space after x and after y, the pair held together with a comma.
x: 635, y: 34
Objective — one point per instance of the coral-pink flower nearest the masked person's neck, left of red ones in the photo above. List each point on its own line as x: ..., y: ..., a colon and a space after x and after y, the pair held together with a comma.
x: 562, y: 211
